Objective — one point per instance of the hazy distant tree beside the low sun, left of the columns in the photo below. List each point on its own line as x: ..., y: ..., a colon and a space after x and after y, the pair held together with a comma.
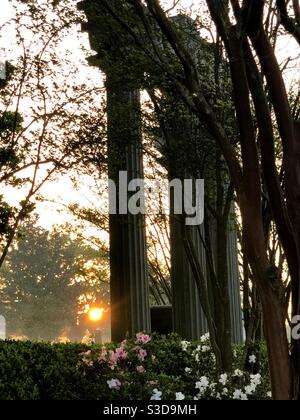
x: 47, y: 280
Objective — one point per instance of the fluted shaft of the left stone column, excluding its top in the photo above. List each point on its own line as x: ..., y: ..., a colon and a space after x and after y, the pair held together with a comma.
x: 130, y: 310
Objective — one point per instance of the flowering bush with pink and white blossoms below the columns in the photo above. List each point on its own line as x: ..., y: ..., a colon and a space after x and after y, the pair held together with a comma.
x: 160, y: 369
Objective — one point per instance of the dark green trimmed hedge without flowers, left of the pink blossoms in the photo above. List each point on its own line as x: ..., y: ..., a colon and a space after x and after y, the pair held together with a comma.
x: 34, y: 371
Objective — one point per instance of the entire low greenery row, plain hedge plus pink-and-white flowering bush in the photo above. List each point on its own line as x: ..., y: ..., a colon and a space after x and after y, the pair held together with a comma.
x: 143, y: 368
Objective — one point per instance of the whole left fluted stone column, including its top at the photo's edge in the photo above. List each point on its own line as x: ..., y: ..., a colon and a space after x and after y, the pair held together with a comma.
x: 130, y: 312
